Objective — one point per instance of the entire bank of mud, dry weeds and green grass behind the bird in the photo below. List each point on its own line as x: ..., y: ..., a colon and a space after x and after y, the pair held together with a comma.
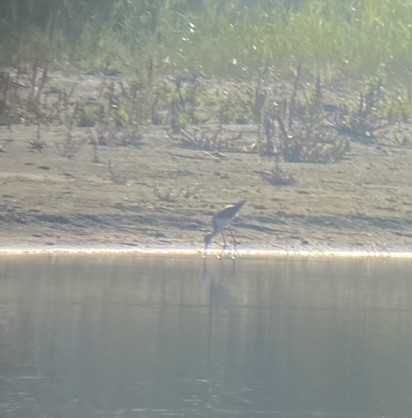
x: 131, y: 122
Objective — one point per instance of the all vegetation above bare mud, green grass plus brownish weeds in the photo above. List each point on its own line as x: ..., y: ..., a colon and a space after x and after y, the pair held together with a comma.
x: 310, y: 75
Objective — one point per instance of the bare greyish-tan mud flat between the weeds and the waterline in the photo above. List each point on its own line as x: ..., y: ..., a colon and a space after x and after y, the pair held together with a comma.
x: 159, y: 193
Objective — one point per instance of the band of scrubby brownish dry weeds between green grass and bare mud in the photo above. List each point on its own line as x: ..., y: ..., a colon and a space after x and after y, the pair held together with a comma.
x: 286, y: 122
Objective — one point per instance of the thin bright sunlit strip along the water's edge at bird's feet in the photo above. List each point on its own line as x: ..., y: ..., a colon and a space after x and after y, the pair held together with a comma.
x: 196, y: 252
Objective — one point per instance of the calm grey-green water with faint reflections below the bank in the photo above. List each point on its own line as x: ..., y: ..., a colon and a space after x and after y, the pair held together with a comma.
x: 142, y: 337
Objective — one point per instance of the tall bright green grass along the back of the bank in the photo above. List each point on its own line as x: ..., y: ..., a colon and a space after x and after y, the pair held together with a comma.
x: 226, y: 38
